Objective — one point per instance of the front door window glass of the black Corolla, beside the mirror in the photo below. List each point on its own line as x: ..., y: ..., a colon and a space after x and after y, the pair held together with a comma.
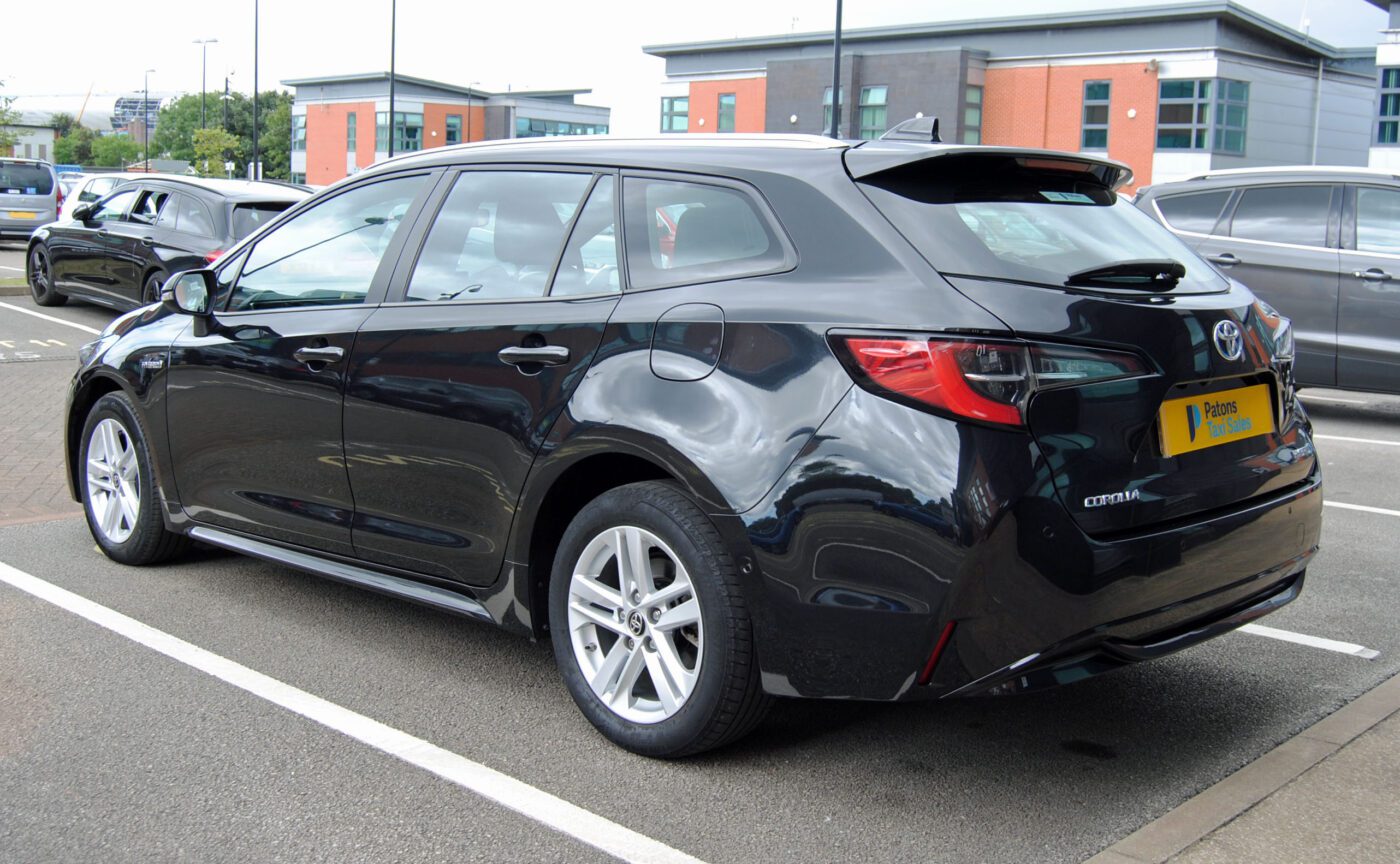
x: 328, y: 254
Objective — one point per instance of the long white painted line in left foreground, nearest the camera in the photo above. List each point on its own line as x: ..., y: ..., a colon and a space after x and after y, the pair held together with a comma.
x: 535, y: 804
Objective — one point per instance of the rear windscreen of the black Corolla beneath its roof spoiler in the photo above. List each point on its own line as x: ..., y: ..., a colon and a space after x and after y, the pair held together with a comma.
x: 1025, y: 219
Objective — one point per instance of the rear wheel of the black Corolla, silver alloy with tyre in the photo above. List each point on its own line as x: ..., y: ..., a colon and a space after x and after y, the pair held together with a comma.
x: 650, y: 628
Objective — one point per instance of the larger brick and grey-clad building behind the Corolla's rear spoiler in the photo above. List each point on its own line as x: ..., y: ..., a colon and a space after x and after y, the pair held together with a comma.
x: 1170, y: 90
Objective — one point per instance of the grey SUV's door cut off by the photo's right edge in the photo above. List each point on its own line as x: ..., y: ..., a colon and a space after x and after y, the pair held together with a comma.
x: 1368, y: 317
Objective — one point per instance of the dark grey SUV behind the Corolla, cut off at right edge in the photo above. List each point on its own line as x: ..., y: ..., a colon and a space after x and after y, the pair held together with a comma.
x: 1319, y: 244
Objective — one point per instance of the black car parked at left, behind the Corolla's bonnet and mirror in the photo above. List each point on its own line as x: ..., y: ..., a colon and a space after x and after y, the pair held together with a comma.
x: 118, y: 251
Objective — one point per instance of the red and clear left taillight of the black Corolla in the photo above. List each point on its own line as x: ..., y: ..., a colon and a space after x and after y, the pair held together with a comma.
x: 989, y: 382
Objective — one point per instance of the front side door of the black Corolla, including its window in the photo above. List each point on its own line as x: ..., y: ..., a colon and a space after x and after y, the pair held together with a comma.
x: 255, y: 398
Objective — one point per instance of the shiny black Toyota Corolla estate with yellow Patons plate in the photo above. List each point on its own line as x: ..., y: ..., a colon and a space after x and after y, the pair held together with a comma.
x: 727, y: 419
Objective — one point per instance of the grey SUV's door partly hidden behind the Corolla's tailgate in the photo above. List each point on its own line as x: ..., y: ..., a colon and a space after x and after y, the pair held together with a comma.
x: 1282, y: 242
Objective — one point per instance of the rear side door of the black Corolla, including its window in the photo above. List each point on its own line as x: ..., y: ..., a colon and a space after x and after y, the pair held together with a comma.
x: 454, y: 387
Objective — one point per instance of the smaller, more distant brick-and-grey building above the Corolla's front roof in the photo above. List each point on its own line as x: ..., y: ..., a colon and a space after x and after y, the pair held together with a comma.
x: 341, y: 124
